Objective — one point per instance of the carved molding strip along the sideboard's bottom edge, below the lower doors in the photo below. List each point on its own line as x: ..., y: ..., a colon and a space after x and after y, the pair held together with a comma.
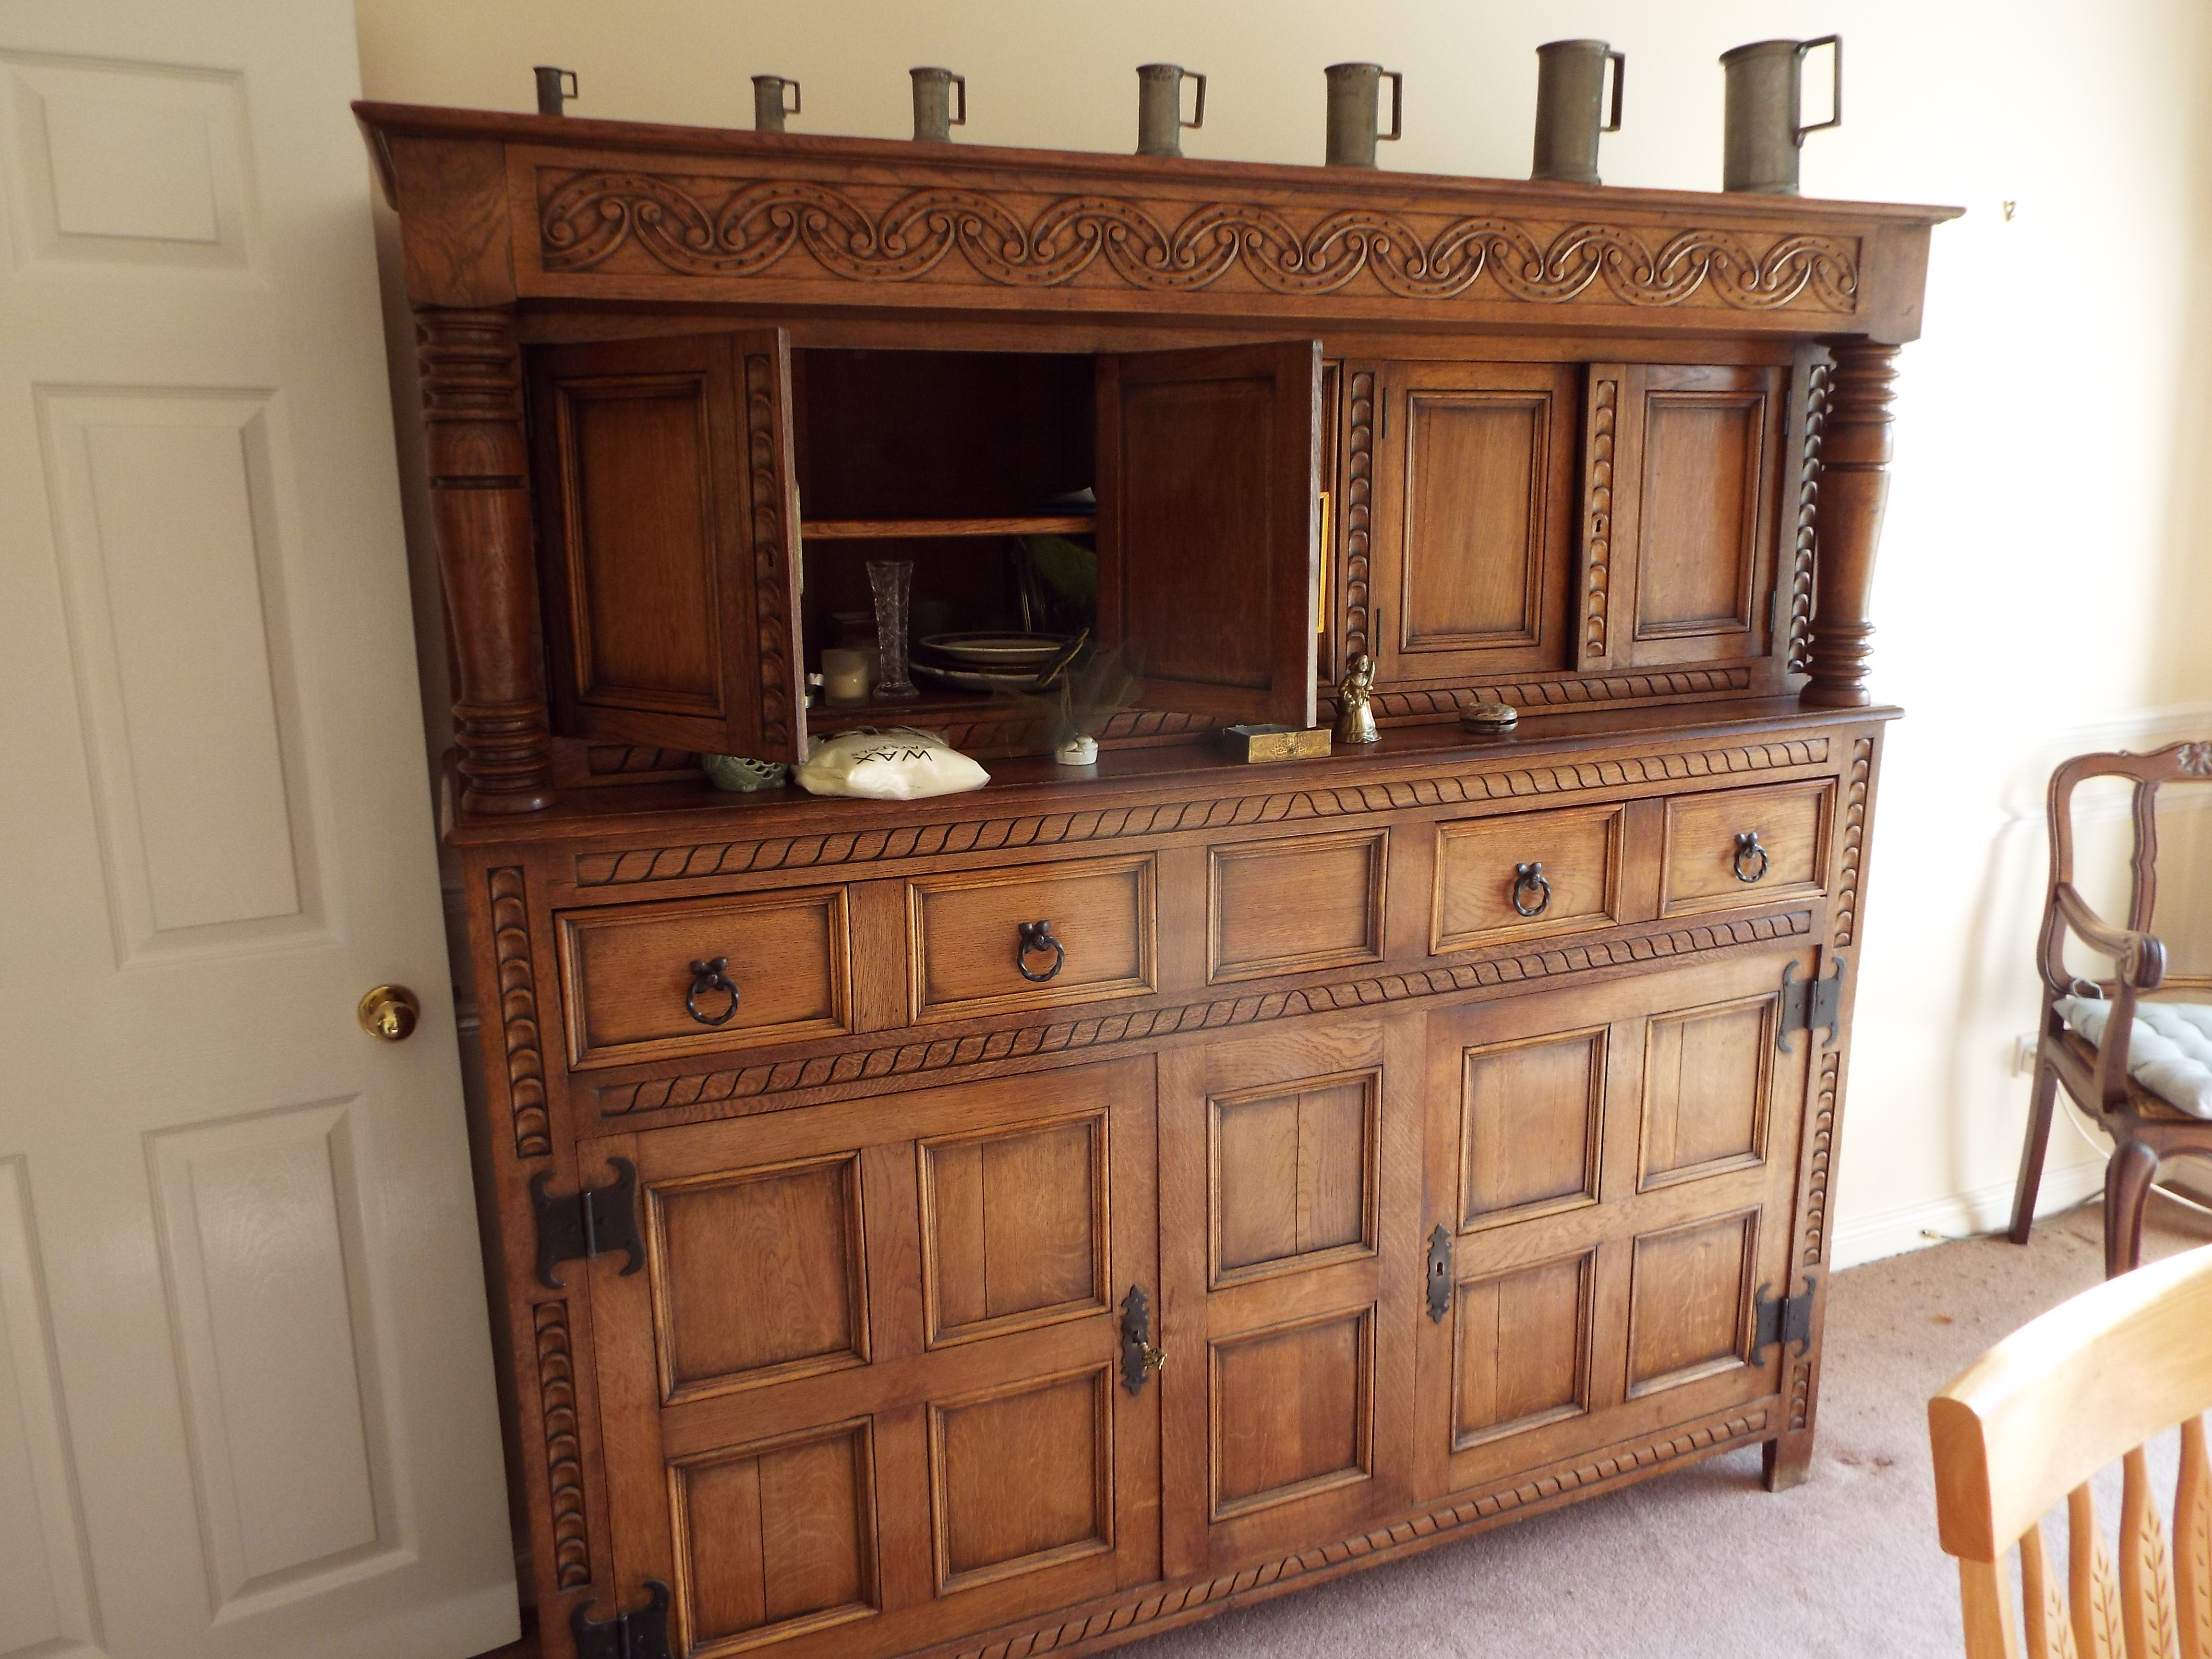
x: 1687, y: 1443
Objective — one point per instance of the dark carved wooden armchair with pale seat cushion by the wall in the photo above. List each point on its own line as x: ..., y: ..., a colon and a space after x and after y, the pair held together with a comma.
x: 2147, y: 1120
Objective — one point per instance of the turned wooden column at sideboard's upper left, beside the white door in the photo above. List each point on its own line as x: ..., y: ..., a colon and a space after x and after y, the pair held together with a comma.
x: 479, y: 488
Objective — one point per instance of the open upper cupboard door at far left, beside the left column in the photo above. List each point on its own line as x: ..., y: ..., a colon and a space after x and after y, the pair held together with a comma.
x: 669, y: 541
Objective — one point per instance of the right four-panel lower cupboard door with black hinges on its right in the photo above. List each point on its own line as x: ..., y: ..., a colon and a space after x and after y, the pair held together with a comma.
x: 1611, y: 1180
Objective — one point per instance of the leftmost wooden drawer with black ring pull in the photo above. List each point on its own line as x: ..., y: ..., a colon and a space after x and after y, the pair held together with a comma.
x: 627, y: 974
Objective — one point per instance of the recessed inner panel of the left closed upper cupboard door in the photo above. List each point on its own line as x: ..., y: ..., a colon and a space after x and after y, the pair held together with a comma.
x: 1474, y: 519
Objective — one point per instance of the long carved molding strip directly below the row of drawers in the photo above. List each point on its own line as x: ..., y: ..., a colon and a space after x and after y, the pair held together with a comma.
x: 1070, y: 1036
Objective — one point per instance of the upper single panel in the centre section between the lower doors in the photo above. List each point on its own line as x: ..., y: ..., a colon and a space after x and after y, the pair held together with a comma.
x: 1293, y: 1176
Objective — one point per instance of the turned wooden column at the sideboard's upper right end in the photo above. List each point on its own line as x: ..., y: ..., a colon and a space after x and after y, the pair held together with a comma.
x: 1855, y: 488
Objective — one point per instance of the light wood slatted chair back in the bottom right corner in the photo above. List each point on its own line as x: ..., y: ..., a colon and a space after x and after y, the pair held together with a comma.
x: 2034, y: 1421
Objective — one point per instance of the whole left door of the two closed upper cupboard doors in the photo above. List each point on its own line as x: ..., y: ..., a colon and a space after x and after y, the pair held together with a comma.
x: 1474, y: 519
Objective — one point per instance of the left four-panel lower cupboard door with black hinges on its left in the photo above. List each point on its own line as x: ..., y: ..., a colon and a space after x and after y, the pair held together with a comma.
x: 866, y: 1392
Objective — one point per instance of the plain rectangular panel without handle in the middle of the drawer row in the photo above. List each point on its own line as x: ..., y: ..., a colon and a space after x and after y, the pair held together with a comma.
x: 1295, y: 906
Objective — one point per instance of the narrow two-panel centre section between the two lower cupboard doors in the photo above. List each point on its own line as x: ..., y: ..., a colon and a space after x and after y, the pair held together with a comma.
x: 1291, y: 1191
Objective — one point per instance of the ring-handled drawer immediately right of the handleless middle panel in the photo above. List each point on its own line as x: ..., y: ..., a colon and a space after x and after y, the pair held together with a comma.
x: 1479, y: 873
